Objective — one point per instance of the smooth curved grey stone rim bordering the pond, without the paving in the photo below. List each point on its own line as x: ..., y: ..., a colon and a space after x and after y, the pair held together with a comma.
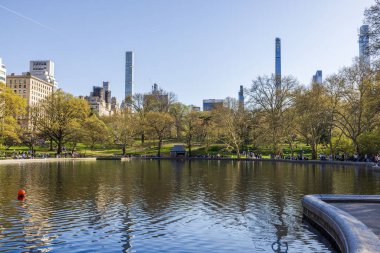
x: 350, y: 234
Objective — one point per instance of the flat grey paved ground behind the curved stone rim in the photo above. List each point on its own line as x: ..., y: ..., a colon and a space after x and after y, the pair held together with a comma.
x: 368, y: 213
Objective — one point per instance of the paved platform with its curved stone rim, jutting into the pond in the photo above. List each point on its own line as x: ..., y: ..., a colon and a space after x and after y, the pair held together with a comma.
x: 352, y: 221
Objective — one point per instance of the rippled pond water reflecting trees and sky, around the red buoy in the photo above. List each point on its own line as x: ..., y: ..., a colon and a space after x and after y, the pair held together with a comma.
x: 168, y: 206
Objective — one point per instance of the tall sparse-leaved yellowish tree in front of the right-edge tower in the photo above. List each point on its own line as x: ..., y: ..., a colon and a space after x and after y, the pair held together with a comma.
x: 359, y: 104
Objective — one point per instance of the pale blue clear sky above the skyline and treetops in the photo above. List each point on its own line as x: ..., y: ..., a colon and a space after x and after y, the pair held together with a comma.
x: 195, y: 48
